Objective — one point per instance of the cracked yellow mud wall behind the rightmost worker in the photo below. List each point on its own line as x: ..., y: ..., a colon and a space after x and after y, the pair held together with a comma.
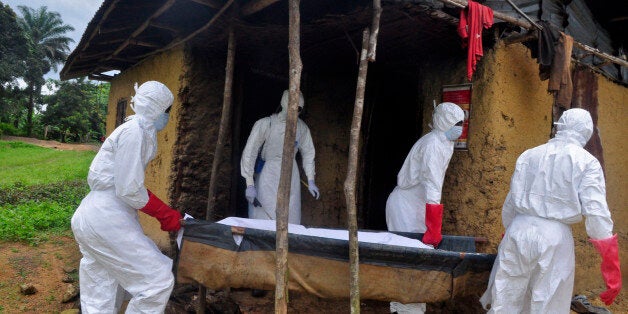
x: 511, y: 112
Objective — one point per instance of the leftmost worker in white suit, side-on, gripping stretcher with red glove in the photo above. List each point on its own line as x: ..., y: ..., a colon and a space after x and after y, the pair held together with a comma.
x: 117, y: 255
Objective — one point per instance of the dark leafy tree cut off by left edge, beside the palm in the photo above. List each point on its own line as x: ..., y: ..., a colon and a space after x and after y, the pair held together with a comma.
x: 13, y: 47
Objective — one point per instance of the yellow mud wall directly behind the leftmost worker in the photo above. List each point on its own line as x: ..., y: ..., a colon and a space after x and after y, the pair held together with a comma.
x: 167, y: 68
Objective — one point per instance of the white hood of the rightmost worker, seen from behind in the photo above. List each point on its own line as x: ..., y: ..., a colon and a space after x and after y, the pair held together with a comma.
x: 575, y: 125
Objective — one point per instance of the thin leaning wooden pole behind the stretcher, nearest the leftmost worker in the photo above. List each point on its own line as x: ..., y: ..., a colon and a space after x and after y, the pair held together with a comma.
x: 225, y: 119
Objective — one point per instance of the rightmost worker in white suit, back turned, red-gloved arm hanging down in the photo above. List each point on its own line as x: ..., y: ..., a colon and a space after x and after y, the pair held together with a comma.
x: 553, y: 186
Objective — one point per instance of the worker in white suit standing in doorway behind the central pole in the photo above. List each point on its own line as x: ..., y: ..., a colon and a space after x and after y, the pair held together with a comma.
x: 268, y: 135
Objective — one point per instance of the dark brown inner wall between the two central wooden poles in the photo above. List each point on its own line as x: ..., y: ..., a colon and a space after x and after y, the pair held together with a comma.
x: 329, y: 101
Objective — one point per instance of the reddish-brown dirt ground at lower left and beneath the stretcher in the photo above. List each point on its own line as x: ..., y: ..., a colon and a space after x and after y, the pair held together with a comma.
x: 48, y: 265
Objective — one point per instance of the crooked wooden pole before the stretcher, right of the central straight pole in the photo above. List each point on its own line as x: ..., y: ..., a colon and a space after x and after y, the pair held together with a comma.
x: 350, y: 181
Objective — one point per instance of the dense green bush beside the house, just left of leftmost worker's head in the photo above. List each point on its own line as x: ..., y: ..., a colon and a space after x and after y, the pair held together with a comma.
x: 76, y: 110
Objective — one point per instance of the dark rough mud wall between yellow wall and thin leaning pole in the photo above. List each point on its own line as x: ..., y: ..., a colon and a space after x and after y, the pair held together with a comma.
x: 197, y: 133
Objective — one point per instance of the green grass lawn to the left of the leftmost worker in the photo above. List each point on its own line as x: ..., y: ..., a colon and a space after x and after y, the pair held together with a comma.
x: 39, y: 190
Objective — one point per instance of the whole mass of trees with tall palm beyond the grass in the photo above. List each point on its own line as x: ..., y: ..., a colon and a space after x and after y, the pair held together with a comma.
x: 32, y: 44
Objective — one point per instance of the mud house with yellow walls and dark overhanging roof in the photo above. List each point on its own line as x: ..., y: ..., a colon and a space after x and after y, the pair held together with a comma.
x: 183, y: 43
